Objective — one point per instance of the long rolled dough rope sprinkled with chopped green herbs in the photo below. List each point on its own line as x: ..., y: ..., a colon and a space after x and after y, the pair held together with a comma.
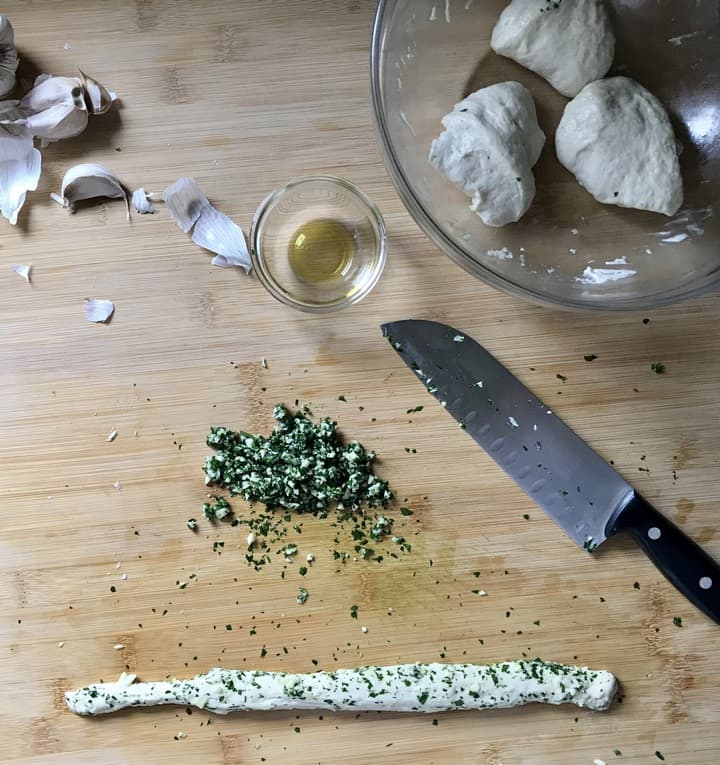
x: 399, y: 688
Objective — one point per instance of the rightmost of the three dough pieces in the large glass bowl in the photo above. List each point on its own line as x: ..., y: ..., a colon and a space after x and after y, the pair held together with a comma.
x: 616, y: 137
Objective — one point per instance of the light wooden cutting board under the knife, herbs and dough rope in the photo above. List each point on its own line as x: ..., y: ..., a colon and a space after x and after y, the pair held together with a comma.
x: 244, y: 96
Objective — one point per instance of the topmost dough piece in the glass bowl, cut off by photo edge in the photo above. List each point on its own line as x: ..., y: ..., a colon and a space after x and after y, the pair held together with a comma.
x: 568, y: 42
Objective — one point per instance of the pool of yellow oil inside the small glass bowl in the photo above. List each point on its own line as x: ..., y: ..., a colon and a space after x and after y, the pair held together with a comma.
x: 321, y: 250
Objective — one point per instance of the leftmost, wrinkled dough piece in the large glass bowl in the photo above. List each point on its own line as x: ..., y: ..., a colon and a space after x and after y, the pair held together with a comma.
x: 491, y: 142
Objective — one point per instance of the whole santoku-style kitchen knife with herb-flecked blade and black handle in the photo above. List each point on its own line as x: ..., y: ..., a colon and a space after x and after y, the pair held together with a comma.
x: 576, y: 487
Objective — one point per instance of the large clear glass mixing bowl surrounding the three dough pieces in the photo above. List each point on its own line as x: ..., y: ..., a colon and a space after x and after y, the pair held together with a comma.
x: 568, y: 250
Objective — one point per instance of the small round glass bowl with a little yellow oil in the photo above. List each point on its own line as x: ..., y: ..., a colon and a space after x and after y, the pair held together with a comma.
x: 318, y: 244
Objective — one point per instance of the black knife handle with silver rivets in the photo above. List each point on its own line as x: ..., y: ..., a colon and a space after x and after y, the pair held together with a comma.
x: 680, y: 559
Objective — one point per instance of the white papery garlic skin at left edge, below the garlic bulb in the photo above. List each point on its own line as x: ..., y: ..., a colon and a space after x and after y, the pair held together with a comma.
x: 20, y: 164
